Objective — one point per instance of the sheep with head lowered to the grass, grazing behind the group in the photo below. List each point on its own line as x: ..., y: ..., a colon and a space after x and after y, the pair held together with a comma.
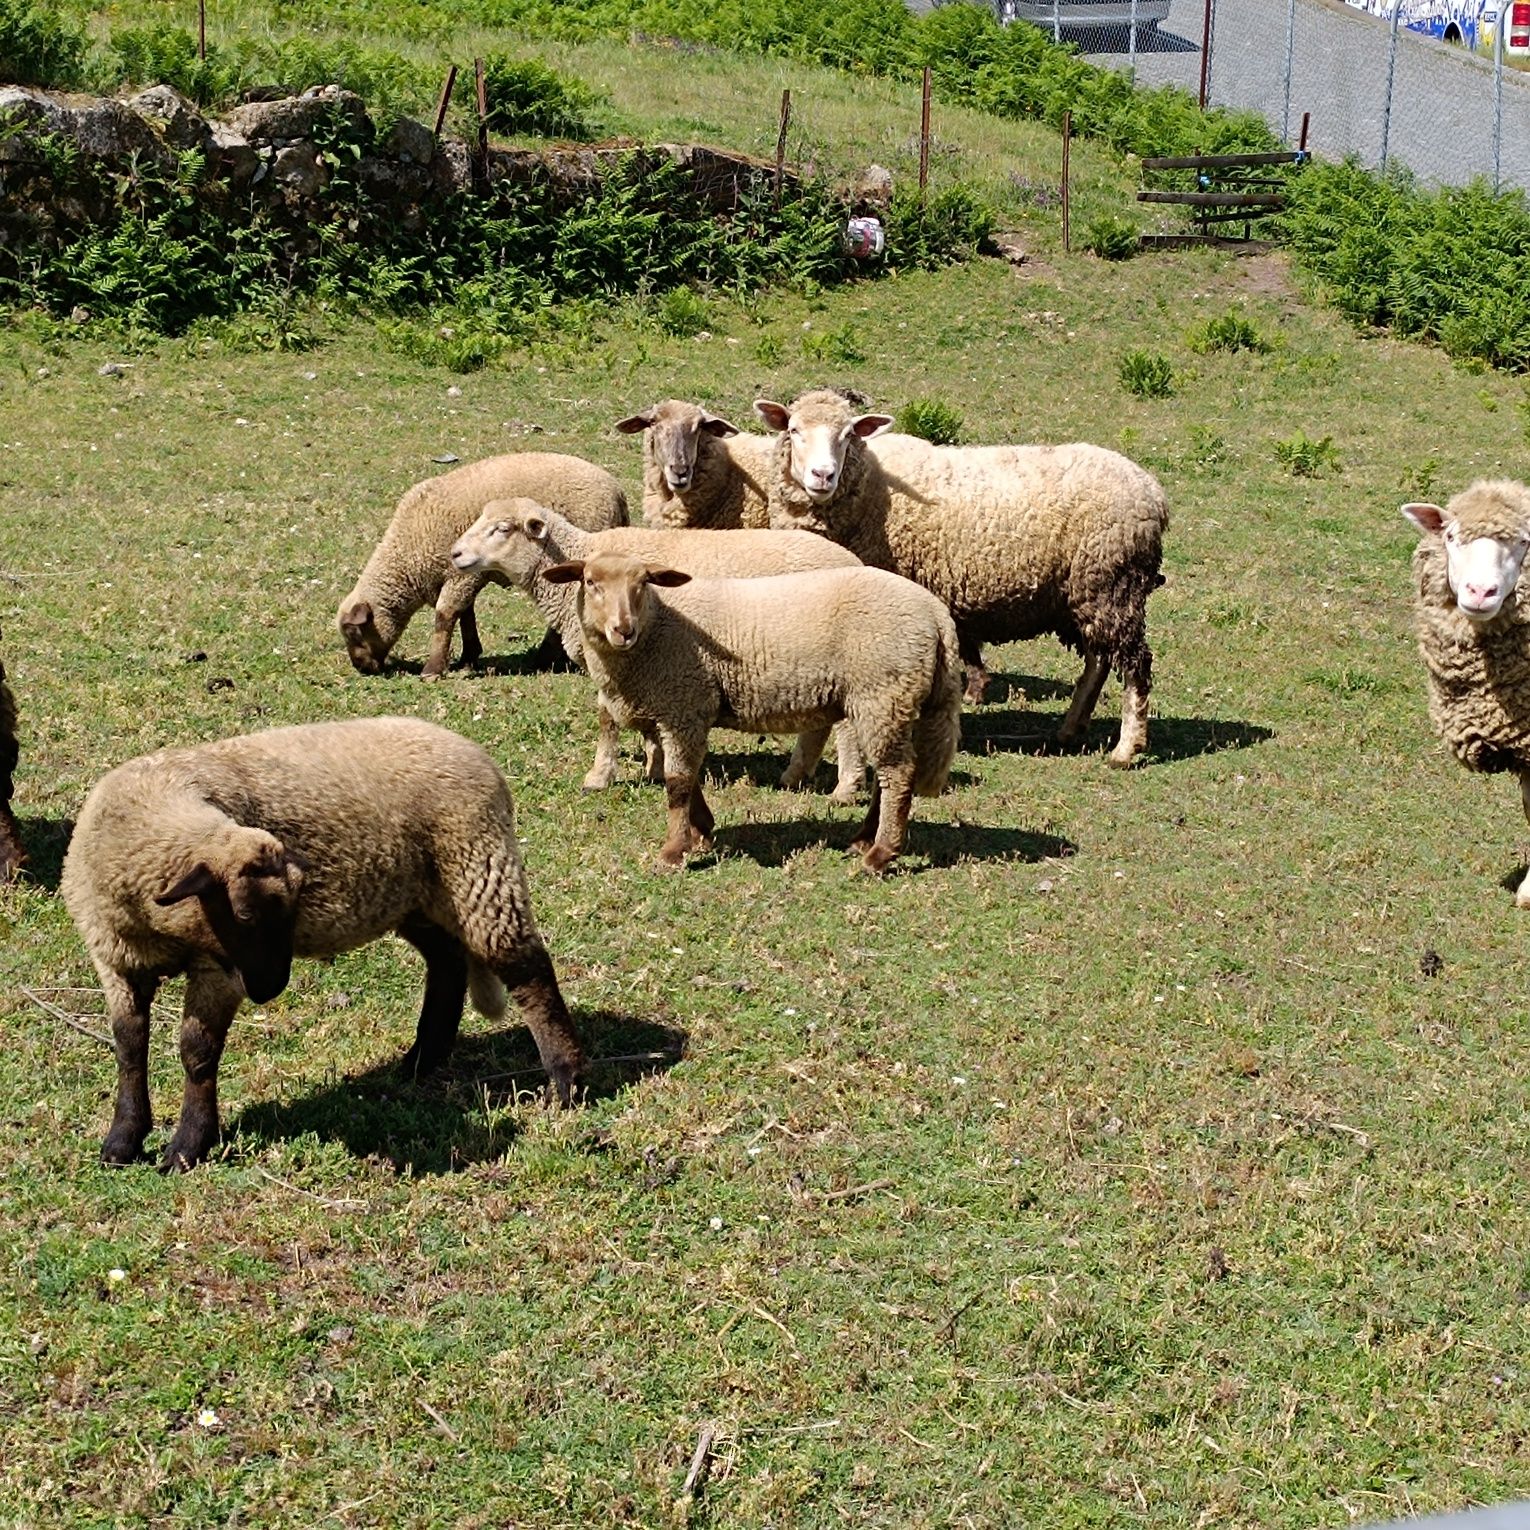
x: 409, y: 568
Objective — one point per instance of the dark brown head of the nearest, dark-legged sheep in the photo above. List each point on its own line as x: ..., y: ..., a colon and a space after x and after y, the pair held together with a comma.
x: 247, y: 885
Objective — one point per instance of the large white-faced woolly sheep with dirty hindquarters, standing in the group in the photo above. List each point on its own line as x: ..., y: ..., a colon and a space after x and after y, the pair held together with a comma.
x: 1017, y: 541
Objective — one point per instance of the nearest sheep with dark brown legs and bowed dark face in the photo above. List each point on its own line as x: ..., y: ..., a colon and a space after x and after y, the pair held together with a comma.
x: 226, y: 861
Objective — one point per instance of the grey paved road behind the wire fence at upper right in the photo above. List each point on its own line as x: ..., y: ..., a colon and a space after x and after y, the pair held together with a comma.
x: 1444, y: 99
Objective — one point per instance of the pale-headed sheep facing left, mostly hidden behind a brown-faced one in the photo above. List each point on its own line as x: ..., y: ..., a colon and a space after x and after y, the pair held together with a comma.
x: 519, y: 541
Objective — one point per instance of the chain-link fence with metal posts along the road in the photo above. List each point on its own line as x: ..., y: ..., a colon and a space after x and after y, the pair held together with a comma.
x: 1370, y: 85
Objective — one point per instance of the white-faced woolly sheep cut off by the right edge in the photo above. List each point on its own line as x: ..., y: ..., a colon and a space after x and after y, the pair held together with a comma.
x: 1474, y: 631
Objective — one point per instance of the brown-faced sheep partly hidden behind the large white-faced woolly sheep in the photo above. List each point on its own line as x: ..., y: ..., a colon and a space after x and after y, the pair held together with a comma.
x: 700, y: 470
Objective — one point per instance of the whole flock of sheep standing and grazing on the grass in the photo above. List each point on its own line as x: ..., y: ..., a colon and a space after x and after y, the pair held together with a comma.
x: 830, y: 576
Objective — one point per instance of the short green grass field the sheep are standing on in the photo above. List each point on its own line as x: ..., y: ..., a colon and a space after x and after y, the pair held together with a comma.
x: 1147, y: 1151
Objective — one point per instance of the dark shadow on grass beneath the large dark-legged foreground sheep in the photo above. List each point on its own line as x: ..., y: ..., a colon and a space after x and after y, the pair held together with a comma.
x: 444, y: 1124
